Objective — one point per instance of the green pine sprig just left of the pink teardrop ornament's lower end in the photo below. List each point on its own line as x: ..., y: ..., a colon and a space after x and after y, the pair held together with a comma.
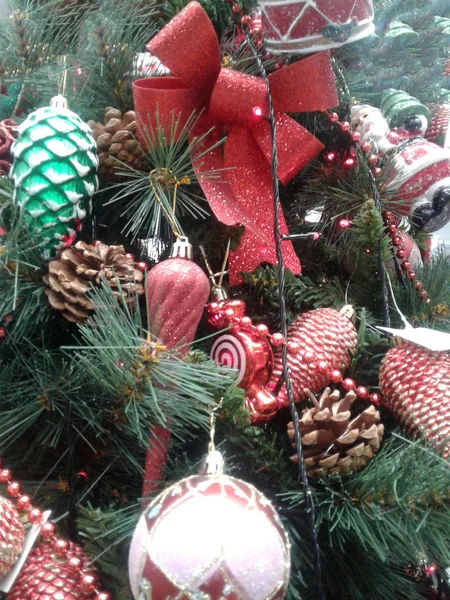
x: 129, y: 382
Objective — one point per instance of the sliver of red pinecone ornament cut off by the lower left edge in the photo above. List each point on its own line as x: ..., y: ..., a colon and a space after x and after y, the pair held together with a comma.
x: 11, y: 536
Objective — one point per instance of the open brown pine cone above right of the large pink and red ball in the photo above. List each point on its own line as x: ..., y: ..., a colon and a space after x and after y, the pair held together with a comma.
x: 335, y: 437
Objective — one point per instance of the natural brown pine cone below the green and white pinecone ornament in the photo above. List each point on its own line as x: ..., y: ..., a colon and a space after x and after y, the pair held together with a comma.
x: 71, y: 277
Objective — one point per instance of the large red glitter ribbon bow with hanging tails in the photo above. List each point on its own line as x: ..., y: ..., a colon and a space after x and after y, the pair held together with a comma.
x: 237, y: 102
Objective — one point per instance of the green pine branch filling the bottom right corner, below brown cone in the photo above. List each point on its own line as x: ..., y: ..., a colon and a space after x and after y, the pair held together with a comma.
x: 379, y: 520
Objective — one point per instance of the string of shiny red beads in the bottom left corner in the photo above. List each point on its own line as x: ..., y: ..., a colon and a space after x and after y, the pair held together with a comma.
x: 60, y: 547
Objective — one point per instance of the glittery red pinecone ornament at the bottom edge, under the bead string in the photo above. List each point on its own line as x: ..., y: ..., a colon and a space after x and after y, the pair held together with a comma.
x: 47, y: 576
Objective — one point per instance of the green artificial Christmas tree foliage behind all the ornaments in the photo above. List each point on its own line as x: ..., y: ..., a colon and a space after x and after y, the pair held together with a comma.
x: 77, y: 401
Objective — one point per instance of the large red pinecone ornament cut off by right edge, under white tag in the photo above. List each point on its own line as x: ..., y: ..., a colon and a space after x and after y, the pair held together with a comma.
x: 415, y: 383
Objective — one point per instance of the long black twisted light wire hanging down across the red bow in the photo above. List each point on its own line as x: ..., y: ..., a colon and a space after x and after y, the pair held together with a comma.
x: 302, y: 475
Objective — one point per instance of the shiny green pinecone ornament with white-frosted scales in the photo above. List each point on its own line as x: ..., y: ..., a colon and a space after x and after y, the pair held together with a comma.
x: 54, y: 174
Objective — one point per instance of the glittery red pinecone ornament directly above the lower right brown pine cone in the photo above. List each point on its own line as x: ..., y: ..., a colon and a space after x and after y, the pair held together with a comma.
x: 326, y: 338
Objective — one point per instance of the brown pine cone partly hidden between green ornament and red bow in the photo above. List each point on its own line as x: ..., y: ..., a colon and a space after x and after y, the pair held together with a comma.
x: 116, y: 142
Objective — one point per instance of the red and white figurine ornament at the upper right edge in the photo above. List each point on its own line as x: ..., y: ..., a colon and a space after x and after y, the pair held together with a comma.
x: 417, y: 171
